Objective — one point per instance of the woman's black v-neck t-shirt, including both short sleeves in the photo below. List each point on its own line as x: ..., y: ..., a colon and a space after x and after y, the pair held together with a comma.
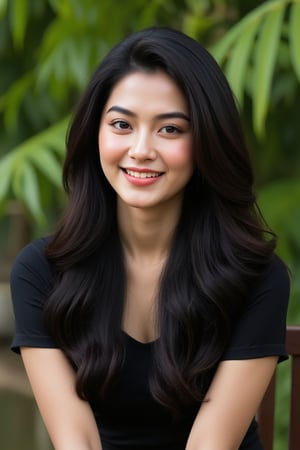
x: 130, y: 418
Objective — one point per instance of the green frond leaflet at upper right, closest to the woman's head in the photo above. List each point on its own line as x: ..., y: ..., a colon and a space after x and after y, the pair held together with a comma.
x: 240, y: 55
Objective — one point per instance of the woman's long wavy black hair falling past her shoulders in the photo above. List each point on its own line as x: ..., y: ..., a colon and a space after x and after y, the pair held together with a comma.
x: 219, y: 249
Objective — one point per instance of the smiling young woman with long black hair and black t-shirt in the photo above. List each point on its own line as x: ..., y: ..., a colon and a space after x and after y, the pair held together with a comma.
x: 155, y: 315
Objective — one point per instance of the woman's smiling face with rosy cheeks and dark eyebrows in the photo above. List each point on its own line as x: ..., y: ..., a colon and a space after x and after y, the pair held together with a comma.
x: 145, y: 140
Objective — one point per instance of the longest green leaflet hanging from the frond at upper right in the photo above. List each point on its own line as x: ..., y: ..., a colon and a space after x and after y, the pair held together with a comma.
x: 265, y: 58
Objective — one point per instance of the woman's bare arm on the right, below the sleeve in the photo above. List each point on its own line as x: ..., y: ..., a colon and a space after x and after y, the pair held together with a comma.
x: 231, y: 403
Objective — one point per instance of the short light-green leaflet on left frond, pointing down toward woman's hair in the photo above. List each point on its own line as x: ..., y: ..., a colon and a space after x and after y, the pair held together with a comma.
x: 48, y: 165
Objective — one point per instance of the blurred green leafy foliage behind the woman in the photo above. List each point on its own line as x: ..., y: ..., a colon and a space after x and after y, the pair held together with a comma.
x: 49, y: 49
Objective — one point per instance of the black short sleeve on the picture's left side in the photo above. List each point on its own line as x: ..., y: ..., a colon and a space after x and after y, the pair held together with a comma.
x: 30, y: 282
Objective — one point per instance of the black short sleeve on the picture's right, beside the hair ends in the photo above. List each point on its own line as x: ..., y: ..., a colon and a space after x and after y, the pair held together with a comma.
x: 261, y: 329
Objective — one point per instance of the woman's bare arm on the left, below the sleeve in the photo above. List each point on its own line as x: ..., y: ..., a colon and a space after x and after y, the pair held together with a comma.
x: 69, y: 420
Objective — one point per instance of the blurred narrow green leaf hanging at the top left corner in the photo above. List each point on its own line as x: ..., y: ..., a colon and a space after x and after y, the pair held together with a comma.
x: 18, y: 21
